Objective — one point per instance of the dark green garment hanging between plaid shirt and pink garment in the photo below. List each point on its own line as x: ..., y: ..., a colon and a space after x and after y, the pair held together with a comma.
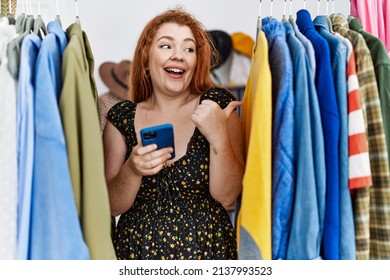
x: 381, y: 63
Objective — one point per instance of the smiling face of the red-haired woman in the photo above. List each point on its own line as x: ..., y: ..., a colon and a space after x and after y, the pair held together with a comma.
x: 172, y: 59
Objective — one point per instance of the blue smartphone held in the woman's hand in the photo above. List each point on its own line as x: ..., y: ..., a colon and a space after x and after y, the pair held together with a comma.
x: 161, y: 135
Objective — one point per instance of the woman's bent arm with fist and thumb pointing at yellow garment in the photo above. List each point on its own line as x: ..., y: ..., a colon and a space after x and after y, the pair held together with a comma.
x: 222, y: 129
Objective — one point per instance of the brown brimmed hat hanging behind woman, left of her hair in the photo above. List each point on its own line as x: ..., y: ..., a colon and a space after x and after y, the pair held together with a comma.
x: 116, y: 77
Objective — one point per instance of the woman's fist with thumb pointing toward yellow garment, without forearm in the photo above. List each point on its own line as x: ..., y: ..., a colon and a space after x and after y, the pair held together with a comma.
x: 211, y: 120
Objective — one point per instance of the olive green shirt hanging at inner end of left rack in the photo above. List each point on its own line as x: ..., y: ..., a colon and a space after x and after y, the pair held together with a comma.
x: 80, y: 118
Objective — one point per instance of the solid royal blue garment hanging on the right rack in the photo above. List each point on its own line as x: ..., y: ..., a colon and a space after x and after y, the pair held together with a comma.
x: 331, y: 127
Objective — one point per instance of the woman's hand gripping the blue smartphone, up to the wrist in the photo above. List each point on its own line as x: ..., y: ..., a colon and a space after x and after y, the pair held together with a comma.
x: 146, y: 161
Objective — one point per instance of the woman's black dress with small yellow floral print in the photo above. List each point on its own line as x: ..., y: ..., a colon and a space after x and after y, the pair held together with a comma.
x: 174, y: 216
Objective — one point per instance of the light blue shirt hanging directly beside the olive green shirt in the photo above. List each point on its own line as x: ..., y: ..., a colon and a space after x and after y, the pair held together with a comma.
x: 55, y: 227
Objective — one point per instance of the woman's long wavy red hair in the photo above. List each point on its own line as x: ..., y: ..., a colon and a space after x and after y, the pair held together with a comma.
x: 207, y: 56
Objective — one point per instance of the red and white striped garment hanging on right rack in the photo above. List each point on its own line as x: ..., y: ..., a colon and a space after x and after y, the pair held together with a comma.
x: 359, y: 160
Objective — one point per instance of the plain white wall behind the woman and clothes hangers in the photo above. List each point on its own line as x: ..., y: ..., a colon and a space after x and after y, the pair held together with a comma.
x: 113, y: 26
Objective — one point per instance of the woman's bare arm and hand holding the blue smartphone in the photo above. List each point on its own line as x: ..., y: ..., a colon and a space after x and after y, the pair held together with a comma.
x: 123, y: 176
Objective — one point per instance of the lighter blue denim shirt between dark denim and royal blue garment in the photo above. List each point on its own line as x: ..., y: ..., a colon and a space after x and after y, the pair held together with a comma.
x: 310, y: 186
